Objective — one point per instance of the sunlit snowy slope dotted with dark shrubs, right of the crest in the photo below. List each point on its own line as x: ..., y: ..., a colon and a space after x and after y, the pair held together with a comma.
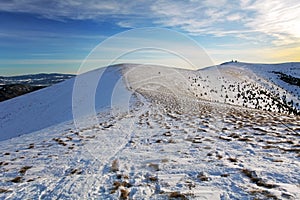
x: 274, y: 88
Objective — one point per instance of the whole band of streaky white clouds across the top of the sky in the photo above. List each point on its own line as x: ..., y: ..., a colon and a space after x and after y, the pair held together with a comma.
x: 275, y: 18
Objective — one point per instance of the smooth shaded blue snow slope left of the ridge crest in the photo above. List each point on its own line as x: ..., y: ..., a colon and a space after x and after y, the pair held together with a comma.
x: 53, y: 105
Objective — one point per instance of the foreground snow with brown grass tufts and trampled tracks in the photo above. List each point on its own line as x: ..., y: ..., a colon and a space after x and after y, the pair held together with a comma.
x: 196, y: 154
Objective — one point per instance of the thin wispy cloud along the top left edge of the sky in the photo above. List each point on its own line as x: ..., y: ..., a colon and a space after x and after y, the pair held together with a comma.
x: 70, y: 9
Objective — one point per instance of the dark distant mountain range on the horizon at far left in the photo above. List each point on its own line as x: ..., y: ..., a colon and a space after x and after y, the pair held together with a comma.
x: 13, y: 86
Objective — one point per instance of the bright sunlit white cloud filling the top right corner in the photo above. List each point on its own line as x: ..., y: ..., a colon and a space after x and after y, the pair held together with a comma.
x: 279, y: 19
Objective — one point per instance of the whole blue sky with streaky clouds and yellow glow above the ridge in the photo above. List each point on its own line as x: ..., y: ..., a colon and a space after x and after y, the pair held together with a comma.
x: 57, y: 36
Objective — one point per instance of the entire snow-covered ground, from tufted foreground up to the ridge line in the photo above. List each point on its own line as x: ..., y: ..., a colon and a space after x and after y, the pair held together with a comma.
x: 188, y: 134
